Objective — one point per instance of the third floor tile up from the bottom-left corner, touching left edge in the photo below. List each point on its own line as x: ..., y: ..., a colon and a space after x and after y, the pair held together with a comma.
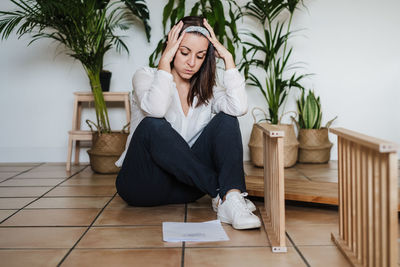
x: 52, y: 217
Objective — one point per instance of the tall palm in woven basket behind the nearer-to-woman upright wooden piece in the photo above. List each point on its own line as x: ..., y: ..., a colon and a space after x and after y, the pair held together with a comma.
x: 270, y: 53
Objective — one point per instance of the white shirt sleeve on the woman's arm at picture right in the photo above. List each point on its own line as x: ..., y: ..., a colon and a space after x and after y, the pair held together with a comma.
x: 232, y: 99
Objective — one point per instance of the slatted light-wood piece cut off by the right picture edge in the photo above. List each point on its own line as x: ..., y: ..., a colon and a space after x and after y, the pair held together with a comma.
x: 368, y: 192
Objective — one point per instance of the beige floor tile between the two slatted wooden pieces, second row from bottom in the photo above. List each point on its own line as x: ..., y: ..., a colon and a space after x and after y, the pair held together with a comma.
x: 312, y: 234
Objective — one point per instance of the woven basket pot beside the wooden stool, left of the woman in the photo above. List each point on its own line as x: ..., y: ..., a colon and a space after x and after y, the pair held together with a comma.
x: 105, y: 151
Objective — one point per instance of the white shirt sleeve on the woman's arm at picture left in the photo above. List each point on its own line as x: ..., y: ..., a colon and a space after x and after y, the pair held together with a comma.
x: 153, y: 89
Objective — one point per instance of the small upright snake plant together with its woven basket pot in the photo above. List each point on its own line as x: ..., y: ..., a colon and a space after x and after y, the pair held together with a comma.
x: 314, y: 144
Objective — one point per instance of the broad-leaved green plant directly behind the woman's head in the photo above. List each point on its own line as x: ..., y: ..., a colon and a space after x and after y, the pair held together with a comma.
x: 213, y: 11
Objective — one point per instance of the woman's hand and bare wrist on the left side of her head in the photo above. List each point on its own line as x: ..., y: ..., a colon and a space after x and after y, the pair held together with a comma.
x: 173, y: 43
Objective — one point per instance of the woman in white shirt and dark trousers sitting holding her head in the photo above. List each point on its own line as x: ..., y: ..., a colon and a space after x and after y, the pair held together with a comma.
x: 177, y: 151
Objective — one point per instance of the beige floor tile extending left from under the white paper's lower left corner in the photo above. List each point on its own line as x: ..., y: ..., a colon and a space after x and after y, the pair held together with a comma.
x: 125, y: 237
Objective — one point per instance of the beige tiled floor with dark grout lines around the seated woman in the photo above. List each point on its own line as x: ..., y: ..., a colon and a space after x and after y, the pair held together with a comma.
x: 49, y: 217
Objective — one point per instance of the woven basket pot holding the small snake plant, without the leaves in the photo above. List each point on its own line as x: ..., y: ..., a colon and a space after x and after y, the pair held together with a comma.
x: 314, y: 146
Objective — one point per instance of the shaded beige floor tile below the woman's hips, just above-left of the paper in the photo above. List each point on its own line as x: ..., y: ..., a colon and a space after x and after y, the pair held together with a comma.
x: 141, y: 216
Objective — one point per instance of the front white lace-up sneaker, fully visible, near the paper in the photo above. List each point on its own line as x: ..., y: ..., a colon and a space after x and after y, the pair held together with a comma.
x: 235, y: 211
